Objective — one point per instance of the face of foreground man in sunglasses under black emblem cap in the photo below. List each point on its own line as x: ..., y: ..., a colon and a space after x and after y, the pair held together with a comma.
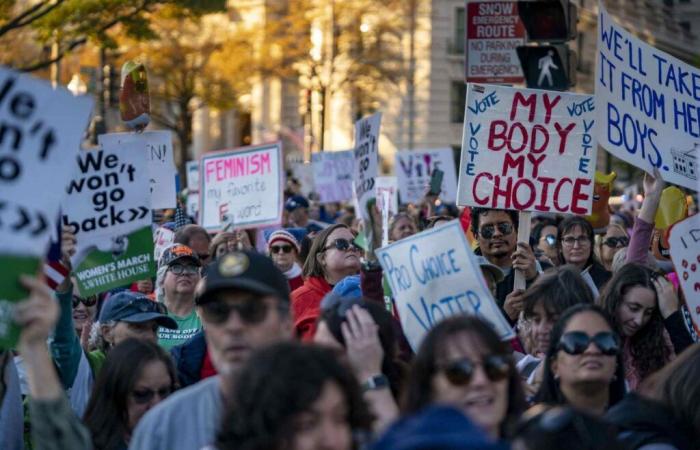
x: 236, y: 323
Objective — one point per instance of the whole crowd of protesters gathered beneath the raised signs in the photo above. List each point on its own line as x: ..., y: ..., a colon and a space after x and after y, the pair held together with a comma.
x: 288, y: 338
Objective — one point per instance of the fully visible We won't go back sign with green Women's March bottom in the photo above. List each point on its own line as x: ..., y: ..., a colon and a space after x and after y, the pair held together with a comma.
x: 108, y: 208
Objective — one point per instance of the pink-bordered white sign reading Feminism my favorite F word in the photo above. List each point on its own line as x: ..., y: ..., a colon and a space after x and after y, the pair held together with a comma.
x: 244, y: 184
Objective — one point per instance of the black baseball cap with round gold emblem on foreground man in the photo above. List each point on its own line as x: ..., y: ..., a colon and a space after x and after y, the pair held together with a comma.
x: 243, y: 270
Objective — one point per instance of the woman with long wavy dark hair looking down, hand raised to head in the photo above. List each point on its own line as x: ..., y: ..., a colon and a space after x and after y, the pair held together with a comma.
x: 646, y: 313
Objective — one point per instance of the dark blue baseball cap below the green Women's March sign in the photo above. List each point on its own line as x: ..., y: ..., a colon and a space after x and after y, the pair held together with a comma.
x: 132, y: 307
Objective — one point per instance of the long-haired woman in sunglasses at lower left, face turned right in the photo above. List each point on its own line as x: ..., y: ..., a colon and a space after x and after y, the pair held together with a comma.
x: 136, y: 376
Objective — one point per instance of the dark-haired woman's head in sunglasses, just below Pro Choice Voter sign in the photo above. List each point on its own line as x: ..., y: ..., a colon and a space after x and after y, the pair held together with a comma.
x: 462, y: 362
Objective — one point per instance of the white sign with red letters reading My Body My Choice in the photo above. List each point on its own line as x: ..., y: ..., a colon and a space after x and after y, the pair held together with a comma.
x: 528, y: 150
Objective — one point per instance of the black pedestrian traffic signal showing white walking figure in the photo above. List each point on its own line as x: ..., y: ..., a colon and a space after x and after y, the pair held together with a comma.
x: 547, y: 61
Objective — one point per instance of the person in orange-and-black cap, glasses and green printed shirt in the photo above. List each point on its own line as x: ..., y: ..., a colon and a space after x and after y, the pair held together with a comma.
x: 182, y: 273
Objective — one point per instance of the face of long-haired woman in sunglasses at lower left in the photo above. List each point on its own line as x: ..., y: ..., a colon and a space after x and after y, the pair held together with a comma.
x: 153, y: 386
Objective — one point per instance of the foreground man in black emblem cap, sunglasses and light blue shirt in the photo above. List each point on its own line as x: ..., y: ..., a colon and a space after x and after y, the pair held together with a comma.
x: 244, y: 305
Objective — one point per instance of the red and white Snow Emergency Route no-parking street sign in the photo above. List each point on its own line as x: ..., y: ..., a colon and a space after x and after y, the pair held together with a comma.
x: 494, y: 31
